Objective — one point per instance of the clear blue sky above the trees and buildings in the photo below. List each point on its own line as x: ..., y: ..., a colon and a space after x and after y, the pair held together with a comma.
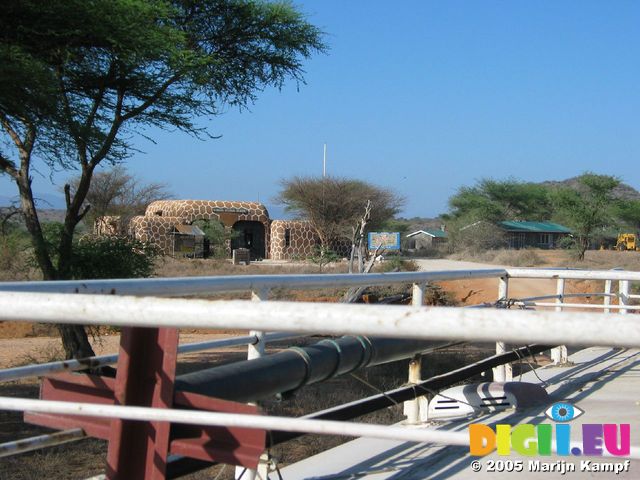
x: 424, y: 97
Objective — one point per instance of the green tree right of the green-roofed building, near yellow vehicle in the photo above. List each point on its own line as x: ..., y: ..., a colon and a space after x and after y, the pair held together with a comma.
x: 587, y: 209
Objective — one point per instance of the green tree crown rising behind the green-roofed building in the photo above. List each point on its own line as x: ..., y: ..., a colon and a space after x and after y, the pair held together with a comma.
x: 498, y: 200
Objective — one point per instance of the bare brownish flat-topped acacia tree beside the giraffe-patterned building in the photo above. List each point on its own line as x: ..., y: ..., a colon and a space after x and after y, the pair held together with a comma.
x: 334, y: 205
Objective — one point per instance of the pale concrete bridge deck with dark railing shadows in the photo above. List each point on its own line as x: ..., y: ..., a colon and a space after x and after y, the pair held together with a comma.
x: 603, y: 382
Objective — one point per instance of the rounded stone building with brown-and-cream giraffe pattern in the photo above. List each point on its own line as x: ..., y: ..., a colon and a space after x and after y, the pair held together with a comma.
x: 265, y: 238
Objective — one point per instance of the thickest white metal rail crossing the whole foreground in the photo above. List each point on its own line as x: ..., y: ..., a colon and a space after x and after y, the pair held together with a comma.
x: 429, y: 323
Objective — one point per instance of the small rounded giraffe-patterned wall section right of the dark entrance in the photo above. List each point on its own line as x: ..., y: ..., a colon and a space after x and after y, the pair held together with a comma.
x: 292, y: 238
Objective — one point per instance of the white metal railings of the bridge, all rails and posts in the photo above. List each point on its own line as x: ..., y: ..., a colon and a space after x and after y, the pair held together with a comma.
x: 135, y: 303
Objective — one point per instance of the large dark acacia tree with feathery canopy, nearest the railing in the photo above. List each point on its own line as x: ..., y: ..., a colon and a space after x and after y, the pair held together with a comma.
x: 78, y: 79
